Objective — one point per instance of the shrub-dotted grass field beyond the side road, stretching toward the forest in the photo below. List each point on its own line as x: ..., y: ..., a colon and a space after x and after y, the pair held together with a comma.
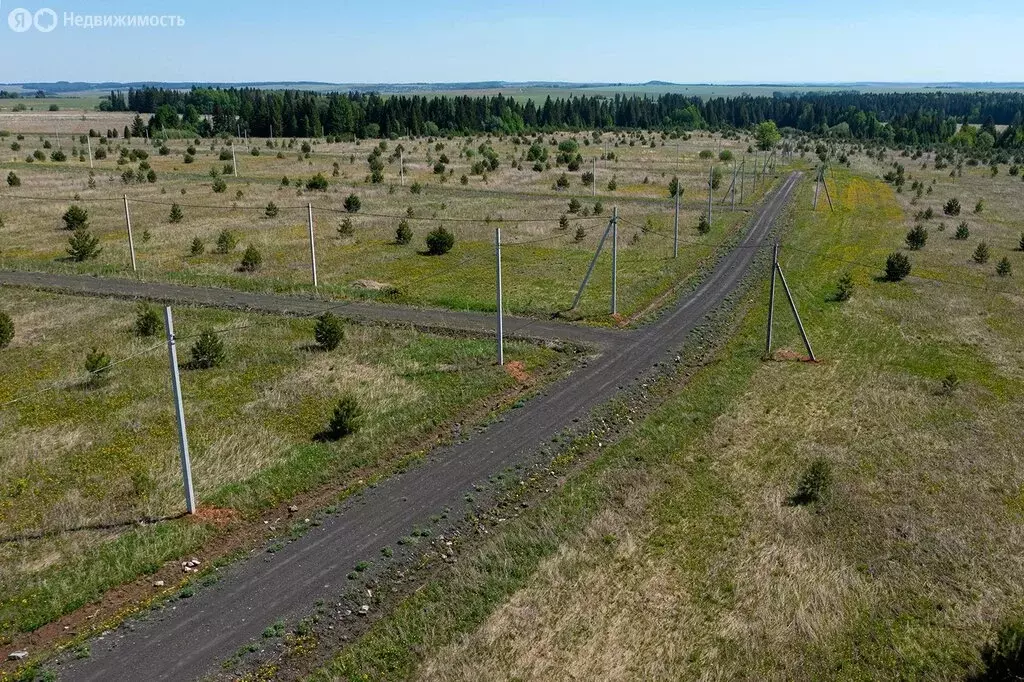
x: 545, y: 260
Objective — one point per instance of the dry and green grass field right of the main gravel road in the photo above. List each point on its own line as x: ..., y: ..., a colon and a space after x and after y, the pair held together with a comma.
x: 681, y: 553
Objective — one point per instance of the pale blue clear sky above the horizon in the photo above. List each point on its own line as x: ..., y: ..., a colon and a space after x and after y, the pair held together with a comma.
x: 400, y: 41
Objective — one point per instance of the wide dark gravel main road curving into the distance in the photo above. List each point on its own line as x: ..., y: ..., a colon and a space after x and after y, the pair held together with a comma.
x: 190, y: 642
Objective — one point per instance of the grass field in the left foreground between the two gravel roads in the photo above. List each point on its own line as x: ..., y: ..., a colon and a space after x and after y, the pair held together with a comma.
x: 86, y: 455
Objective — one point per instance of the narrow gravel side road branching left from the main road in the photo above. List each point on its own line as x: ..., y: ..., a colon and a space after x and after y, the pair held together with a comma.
x: 424, y: 319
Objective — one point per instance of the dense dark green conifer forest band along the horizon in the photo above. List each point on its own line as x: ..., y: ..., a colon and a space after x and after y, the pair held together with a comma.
x: 918, y: 118
